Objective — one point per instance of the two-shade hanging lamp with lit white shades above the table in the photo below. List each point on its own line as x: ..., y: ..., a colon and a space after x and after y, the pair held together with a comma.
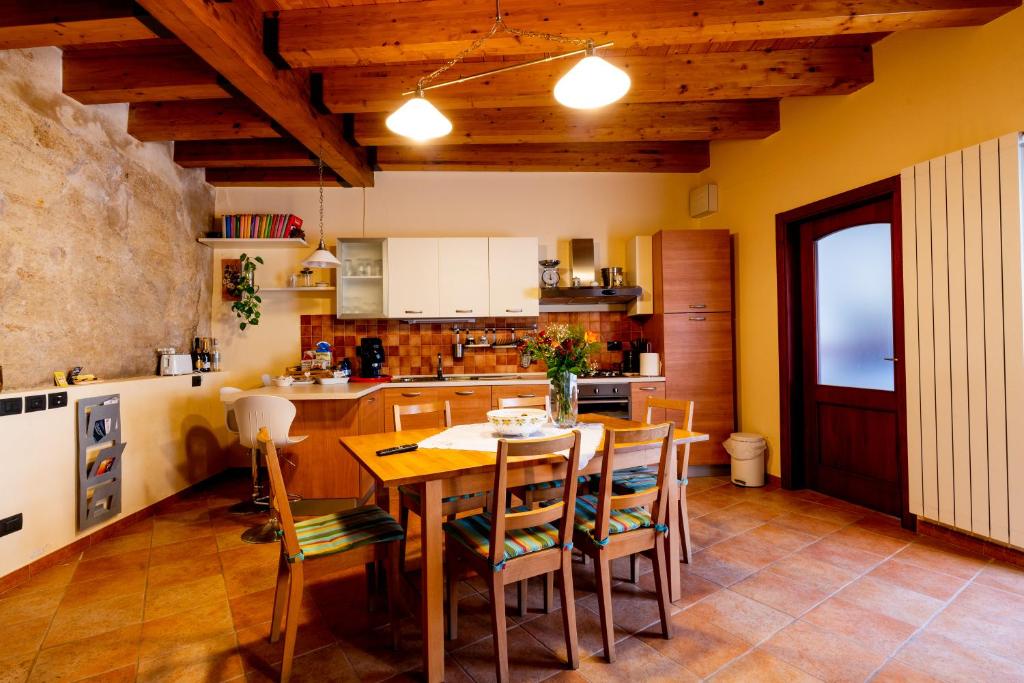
x: 593, y: 82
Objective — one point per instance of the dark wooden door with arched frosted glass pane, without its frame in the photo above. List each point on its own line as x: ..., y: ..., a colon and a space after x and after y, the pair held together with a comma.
x: 852, y: 394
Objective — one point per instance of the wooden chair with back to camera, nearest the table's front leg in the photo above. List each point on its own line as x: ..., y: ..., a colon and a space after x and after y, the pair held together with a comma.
x: 507, y: 546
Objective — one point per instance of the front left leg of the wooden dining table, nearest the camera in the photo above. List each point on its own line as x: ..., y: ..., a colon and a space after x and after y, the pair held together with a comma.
x: 434, y: 589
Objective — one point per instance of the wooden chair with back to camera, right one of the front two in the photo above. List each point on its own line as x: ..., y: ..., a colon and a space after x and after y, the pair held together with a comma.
x: 611, y: 527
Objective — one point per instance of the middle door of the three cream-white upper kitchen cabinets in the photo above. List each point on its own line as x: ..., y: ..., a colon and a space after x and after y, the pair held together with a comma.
x: 463, y: 279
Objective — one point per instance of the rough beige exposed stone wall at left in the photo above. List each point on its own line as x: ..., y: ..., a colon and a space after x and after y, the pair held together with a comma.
x: 99, y: 260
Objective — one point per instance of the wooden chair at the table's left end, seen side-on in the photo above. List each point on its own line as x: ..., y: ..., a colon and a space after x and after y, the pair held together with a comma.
x: 360, y: 533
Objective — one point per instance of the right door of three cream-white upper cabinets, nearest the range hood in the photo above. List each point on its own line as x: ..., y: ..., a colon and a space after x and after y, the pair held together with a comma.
x: 514, y: 275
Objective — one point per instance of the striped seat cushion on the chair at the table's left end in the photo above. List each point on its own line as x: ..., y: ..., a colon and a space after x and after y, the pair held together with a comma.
x: 346, y: 531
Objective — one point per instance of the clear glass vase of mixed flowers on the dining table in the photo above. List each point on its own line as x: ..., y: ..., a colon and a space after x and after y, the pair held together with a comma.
x: 567, y: 351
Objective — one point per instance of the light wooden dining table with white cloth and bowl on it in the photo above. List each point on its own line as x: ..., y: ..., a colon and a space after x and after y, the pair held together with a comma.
x: 440, y: 474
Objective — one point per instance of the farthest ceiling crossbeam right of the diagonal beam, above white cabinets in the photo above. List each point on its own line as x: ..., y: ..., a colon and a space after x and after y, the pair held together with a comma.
x: 629, y: 157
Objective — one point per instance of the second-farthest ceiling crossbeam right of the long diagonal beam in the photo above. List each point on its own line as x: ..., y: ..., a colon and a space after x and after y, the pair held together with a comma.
x: 750, y: 119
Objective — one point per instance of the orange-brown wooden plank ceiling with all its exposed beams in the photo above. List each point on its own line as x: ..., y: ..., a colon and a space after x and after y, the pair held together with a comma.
x: 253, y: 91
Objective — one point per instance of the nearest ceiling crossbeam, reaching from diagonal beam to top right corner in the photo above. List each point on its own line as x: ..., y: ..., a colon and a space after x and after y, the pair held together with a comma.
x: 437, y: 30
